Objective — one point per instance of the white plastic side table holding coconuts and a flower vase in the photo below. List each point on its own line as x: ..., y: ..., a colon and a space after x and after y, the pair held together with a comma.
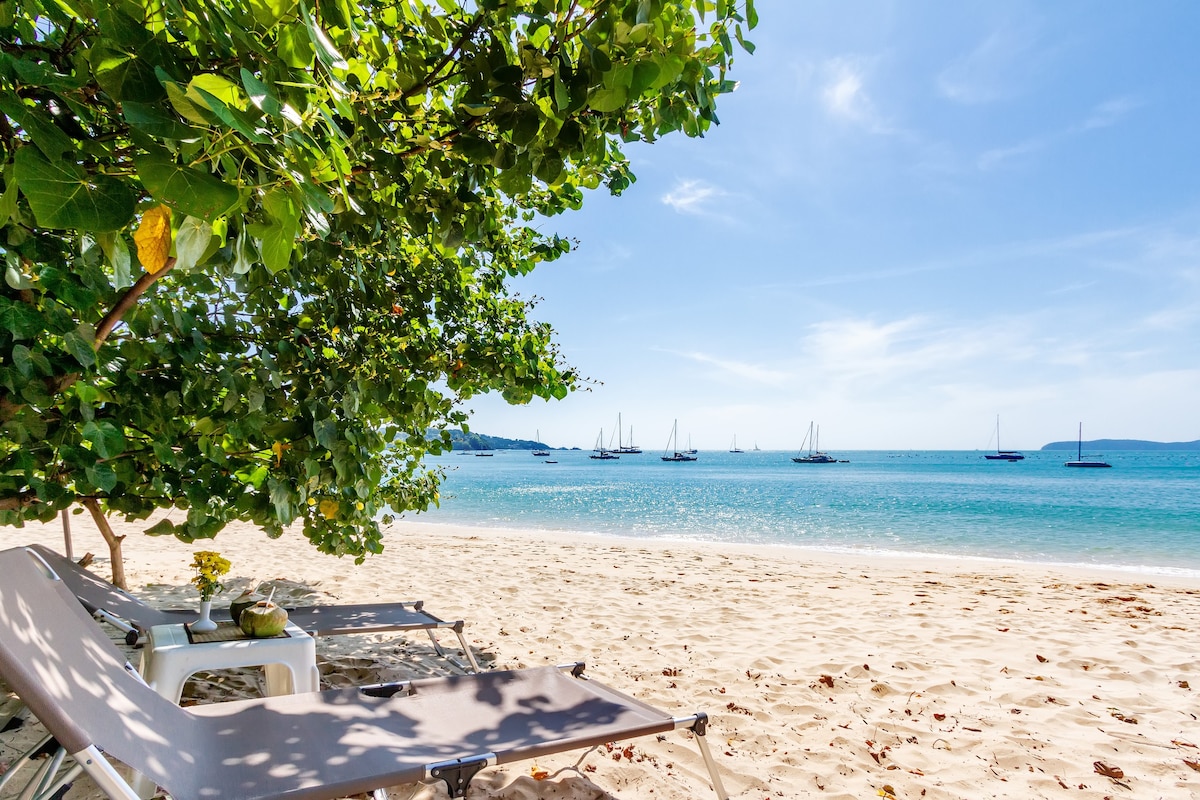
x: 289, y: 663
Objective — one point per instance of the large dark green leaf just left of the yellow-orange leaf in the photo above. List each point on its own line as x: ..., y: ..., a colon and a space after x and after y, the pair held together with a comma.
x: 62, y: 195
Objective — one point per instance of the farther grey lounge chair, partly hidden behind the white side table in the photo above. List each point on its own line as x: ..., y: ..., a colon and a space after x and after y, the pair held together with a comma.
x: 136, y: 618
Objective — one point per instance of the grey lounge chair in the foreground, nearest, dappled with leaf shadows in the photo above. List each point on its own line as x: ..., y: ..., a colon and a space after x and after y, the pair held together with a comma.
x: 311, y: 747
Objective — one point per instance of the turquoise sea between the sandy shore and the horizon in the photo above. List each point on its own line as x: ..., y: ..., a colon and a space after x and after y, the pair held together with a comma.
x: 1142, y: 516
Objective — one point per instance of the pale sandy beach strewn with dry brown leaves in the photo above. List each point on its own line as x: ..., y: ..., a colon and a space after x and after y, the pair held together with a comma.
x: 826, y: 676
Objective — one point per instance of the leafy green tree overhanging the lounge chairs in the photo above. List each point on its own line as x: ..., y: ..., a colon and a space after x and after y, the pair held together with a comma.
x: 256, y: 249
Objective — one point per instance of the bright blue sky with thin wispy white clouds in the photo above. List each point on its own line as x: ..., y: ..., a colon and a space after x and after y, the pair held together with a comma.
x: 916, y: 218
